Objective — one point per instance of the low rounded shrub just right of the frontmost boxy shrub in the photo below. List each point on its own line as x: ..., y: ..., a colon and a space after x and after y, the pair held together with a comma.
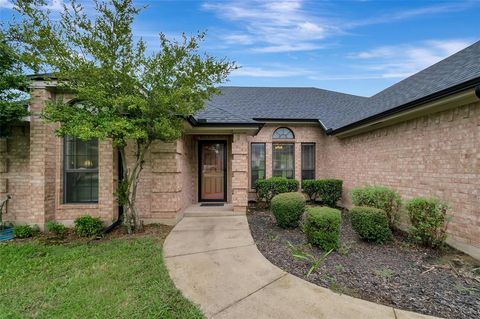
x: 371, y: 224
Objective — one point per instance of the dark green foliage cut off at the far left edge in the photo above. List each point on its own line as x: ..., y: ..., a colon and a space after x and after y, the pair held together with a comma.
x: 12, y: 87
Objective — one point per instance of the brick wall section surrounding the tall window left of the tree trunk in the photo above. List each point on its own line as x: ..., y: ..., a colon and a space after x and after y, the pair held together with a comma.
x: 34, y: 173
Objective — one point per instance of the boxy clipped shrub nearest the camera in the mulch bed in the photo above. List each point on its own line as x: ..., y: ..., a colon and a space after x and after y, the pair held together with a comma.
x: 322, y: 227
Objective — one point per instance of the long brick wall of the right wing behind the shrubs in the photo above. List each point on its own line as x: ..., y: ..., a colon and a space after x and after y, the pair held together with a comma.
x: 436, y: 155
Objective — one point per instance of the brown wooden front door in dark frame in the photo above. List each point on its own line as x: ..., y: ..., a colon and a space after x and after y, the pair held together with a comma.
x: 212, y: 171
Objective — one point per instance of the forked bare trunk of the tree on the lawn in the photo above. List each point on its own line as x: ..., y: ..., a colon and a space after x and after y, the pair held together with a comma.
x: 127, y: 188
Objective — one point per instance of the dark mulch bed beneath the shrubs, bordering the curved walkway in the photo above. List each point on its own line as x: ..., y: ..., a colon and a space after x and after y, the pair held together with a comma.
x: 399, y: 274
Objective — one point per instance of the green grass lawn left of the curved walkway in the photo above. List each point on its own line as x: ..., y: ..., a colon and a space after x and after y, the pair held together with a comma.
x: 120, y: 278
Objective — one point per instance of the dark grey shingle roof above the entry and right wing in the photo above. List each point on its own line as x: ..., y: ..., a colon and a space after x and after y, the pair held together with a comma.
x: 336, y: 110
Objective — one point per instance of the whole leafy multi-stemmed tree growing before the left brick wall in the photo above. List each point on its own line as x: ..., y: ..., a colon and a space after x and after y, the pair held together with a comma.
x: 123, y: 92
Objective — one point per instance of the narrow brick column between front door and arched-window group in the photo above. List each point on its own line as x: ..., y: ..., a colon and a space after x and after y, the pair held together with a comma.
x: 240, y: 172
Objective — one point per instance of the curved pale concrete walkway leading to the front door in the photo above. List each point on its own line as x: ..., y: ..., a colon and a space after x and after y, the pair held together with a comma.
x: 215, y: 263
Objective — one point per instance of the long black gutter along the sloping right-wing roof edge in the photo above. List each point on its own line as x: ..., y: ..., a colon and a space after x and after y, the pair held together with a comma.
x: 471, y: 84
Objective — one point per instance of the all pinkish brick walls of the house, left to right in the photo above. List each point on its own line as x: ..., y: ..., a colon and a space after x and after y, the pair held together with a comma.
x: 436, y: 155
